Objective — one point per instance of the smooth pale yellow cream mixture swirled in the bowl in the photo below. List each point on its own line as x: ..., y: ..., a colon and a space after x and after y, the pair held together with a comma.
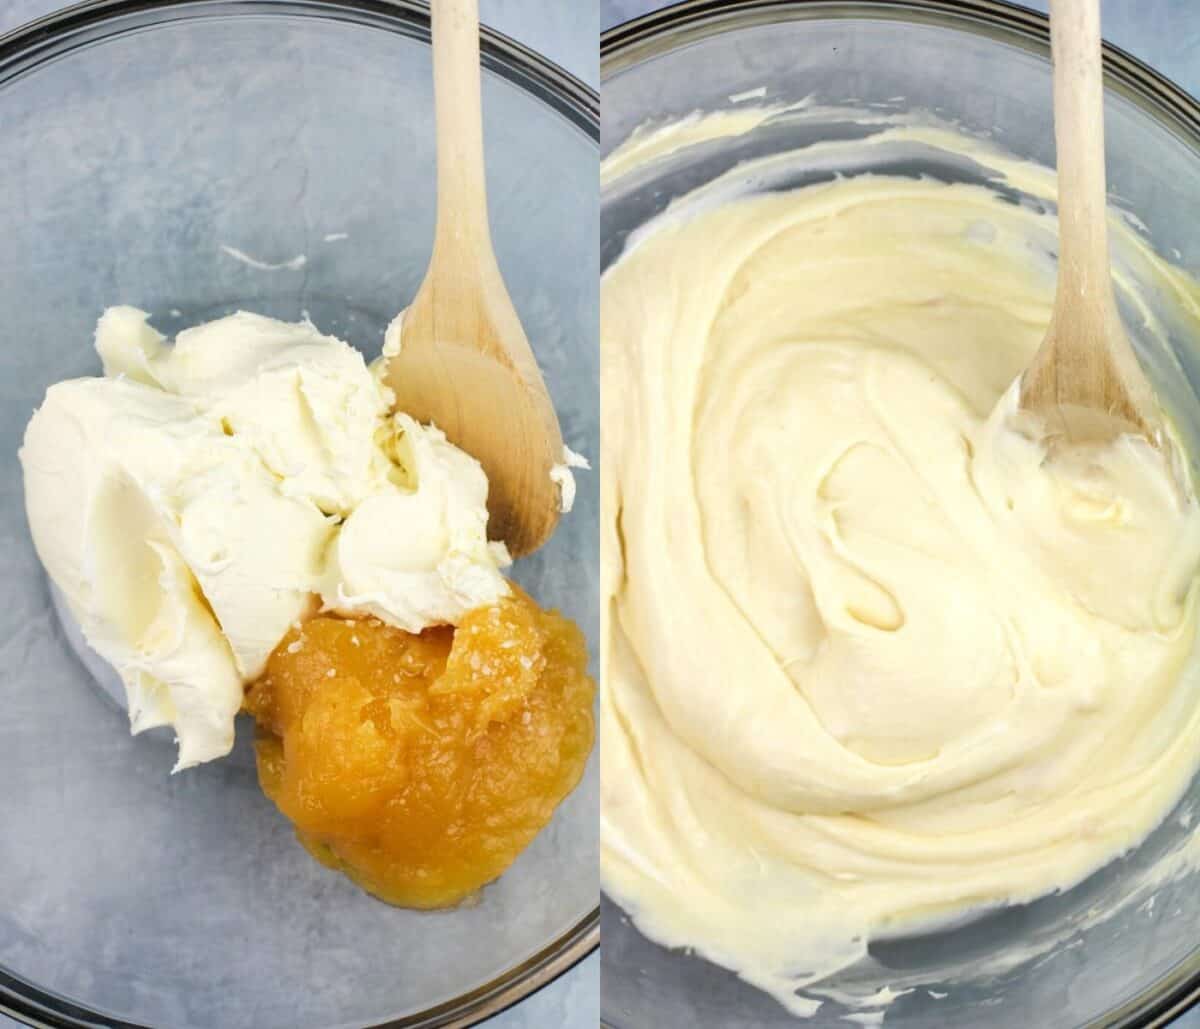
x: 872, y: 657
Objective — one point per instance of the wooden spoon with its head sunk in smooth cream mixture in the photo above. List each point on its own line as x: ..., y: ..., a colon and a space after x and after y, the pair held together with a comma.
x: 1085, y: 381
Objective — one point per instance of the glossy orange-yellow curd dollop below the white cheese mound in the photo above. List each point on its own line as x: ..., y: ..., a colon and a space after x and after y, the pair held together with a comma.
x: 422, y: 766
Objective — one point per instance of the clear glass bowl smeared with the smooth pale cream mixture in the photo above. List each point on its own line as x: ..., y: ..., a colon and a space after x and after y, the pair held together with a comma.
x: 1117, y: 950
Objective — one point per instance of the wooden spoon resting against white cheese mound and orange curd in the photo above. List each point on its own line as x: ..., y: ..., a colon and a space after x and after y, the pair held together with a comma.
x: 465, y: 363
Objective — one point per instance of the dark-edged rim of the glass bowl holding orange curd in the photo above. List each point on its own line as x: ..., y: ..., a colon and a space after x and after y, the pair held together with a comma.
x: 34, y: 45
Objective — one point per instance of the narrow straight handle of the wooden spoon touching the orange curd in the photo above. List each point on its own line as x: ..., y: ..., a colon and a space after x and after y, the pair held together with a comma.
x: 463, y: 188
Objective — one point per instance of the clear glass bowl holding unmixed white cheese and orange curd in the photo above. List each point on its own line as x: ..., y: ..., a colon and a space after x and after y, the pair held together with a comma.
x: 142, y: 148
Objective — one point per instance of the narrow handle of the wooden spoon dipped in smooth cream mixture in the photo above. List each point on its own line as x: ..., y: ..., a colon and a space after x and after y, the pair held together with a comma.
x: 1079, y: 137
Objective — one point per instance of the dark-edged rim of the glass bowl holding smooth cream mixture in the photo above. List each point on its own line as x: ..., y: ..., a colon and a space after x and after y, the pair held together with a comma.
x: 633, y: 43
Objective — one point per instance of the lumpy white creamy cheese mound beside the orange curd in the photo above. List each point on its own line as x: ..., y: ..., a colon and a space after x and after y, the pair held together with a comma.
x: 201, y: 498
